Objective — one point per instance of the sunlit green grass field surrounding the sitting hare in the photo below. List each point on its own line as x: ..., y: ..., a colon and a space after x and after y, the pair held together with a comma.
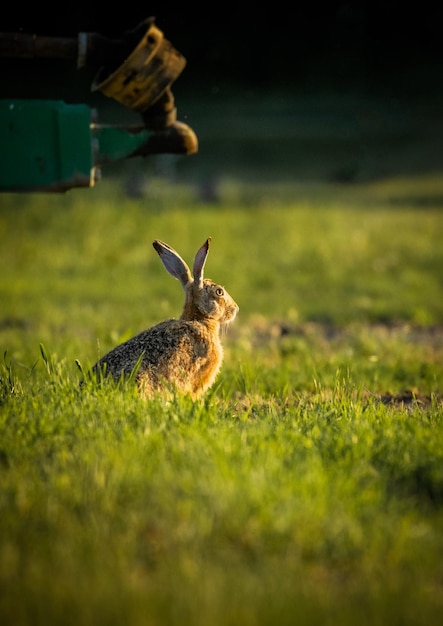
x: 307, y: 486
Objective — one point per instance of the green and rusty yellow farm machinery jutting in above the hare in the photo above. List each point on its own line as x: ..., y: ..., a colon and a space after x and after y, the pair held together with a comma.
x: 52, y: 145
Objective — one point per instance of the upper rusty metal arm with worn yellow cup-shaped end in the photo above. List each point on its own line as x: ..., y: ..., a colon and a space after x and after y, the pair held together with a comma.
x: 136, y: 70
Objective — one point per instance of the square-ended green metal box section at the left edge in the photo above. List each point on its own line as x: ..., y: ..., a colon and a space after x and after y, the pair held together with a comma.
x: 46, y: 145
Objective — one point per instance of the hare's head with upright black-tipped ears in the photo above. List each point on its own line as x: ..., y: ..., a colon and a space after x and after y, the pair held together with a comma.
x: 204, y: 299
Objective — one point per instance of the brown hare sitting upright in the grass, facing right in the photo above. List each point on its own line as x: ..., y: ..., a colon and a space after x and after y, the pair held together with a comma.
x: 185, y: 354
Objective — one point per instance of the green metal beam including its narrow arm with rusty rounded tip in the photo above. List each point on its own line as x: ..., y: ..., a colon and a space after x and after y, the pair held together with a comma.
x: 48, y: 145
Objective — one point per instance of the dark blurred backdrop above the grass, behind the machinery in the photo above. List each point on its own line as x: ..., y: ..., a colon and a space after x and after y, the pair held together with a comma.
x: 340, y: 91
